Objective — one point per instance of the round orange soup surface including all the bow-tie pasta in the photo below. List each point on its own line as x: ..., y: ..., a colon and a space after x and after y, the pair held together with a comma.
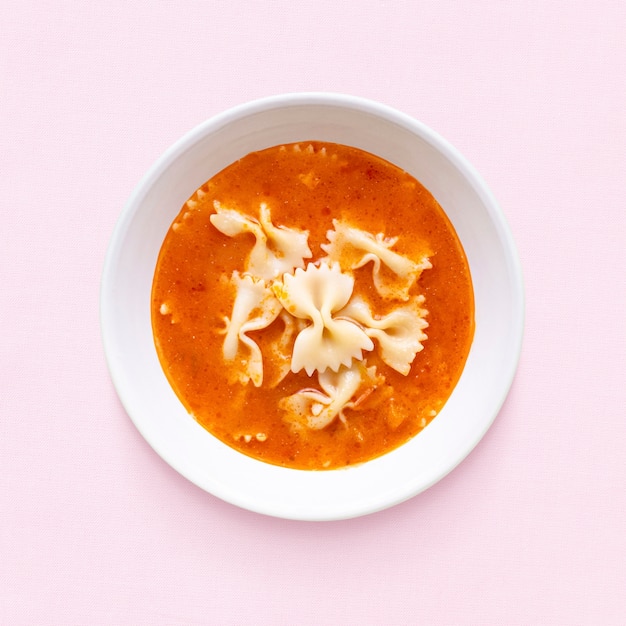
x: 312, y: 306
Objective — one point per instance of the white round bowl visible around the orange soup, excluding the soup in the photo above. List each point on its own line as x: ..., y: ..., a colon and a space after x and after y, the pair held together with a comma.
x: 127, y: 332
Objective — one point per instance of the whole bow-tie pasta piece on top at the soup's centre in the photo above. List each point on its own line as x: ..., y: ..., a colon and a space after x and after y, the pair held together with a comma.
x: 315, y: 294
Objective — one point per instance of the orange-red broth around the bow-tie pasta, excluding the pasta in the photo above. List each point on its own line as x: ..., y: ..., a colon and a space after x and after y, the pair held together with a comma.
x: 306, y: 186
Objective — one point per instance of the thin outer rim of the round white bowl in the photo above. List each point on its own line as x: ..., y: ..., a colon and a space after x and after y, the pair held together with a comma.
x: 344, y: 101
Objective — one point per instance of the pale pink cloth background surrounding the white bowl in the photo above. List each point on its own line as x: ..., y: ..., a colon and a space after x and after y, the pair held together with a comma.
x: 96, y: 529
